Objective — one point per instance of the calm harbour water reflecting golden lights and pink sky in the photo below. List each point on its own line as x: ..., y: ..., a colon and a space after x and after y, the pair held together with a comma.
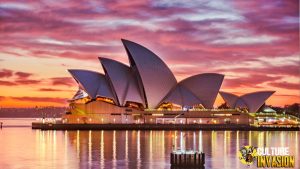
x: 22, y: 147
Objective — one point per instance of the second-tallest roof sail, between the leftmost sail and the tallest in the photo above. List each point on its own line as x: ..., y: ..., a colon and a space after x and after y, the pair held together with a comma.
x: 123, y: 81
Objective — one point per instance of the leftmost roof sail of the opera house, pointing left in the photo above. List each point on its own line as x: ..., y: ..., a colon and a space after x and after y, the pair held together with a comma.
x: 94, y: 83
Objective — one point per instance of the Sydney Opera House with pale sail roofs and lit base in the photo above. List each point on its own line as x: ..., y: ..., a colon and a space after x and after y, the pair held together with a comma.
x: 148, y: 92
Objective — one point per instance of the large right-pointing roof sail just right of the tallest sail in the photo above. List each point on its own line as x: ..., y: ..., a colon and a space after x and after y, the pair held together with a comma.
x: 205, y: 86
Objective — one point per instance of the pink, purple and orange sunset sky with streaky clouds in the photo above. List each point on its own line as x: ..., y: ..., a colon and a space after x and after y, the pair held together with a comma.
x: 254, y: 43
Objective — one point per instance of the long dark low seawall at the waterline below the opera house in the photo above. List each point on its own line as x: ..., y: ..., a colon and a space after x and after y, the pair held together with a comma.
x: 234, y: 127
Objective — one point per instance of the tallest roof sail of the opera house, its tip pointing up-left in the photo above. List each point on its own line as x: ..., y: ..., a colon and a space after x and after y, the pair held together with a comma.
x: 154, y: 76
